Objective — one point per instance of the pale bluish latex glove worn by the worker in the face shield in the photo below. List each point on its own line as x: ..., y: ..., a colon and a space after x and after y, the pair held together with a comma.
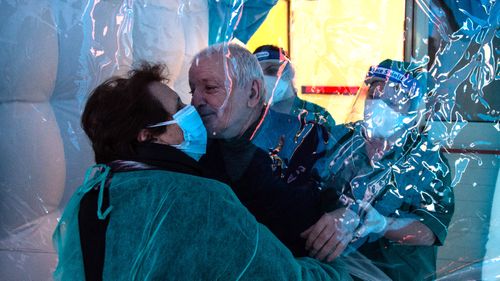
x: 373, y: 221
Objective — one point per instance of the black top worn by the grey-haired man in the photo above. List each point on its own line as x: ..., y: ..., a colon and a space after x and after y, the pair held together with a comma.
x: 286, y: 209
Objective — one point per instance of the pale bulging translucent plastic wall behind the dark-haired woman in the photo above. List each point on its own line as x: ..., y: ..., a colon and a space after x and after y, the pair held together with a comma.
x: 53, y: 54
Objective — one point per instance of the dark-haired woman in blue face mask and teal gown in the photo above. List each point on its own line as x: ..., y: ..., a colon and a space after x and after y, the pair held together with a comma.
x: 145, y: 213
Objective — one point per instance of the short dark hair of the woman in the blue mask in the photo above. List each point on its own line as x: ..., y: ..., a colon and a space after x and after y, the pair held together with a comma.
x: 118, y: 109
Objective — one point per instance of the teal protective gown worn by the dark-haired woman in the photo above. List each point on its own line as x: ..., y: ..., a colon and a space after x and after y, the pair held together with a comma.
x: 171, y: 226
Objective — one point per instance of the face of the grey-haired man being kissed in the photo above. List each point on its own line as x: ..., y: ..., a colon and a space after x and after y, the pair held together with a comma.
x: 221, y: 104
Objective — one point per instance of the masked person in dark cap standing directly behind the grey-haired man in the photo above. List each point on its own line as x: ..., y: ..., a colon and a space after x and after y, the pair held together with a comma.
x: 281, y: 93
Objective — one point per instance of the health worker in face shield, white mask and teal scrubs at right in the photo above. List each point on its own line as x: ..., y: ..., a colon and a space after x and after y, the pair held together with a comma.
x: 387, y: 172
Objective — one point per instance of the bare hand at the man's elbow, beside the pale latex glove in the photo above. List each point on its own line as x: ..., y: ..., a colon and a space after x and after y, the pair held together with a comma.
x: 329, y: 237
